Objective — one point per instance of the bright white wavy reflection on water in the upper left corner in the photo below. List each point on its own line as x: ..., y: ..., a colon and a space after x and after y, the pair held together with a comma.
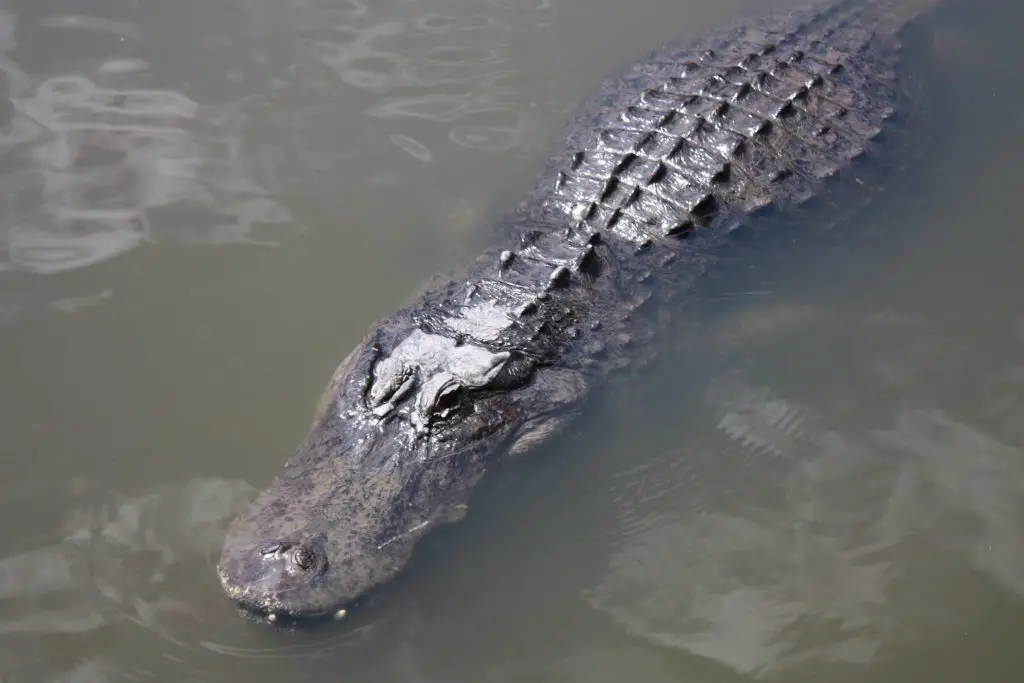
x: 98, y: 163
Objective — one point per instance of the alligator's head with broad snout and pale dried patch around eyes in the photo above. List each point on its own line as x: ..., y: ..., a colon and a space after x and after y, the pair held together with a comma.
x: 407, y: 428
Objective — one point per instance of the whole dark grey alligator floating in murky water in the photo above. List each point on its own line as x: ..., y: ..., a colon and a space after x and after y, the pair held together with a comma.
x: 496, y: 358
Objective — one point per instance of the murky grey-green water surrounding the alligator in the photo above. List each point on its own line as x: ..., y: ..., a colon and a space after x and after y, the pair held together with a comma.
x: 205, y: 204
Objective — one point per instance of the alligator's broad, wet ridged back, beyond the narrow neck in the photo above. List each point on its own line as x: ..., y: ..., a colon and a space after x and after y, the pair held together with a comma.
x: 711, y: 133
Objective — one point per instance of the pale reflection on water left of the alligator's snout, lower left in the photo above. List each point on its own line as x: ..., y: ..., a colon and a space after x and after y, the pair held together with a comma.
x: 113, y: 564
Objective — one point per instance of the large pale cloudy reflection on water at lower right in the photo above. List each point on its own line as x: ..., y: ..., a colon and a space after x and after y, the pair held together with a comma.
x: 820, y: 560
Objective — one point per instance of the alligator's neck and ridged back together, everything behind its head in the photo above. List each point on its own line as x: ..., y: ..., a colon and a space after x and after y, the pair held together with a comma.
x: 672, y: 156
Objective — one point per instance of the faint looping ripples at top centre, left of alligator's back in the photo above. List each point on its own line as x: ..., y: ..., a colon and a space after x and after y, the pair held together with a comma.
x: 444, y: 68
